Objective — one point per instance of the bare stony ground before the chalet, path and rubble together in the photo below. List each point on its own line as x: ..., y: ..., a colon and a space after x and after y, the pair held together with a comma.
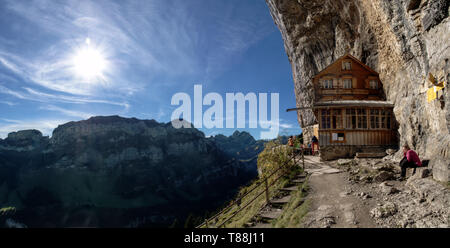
x: 365, y: 193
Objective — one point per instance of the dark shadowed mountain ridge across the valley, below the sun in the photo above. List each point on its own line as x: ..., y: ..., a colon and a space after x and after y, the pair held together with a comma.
x: 113, y: 171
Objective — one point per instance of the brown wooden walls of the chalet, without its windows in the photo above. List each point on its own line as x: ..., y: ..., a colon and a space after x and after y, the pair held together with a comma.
x: 360, y: 76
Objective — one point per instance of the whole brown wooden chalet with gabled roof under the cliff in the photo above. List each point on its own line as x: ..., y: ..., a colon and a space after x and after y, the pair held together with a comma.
x: 351, y: 111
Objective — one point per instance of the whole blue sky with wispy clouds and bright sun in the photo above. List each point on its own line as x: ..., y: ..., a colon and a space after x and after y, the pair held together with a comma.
x: 64, y: 61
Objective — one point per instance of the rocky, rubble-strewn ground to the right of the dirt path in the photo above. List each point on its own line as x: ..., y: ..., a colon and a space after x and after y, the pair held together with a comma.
x: 418, y: 202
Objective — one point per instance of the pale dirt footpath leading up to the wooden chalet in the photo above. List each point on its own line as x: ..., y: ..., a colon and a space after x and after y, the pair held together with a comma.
x: 331, y: 199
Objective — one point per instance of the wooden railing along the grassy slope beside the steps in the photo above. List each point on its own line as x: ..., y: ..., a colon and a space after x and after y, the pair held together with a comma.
x: 267, y: 186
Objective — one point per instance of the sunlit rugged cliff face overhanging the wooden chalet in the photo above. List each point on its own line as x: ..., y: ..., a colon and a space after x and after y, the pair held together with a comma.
x: 403, y: 40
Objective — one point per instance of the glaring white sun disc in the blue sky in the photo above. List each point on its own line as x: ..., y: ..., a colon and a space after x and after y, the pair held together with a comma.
x: 88, y: 62
